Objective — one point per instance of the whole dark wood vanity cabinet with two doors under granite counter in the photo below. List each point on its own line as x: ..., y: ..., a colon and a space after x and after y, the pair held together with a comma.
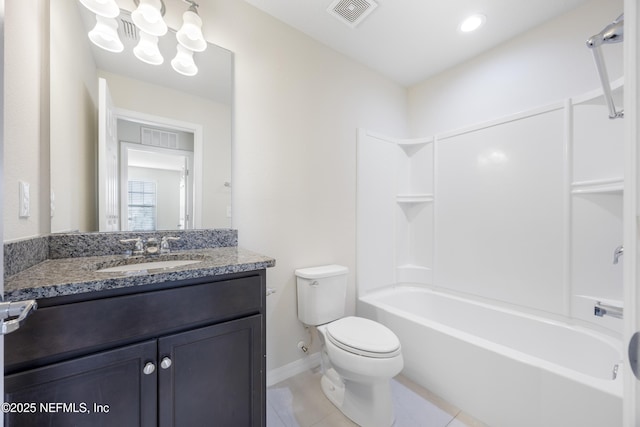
x: 178, y: 354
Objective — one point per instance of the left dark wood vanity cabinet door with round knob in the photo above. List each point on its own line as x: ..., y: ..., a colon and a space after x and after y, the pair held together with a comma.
x: 105, y: 389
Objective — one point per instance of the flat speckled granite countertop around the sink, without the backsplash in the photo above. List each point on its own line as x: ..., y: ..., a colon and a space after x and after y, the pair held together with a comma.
x: 70, y: 276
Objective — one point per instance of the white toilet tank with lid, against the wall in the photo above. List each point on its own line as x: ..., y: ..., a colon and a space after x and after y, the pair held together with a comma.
x: 322, y: 293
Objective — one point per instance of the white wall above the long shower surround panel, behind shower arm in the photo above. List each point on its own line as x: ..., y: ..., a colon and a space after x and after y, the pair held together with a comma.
x: 544, y: 65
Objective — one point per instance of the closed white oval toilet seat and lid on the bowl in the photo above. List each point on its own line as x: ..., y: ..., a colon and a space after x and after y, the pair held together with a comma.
x: 363, y: 337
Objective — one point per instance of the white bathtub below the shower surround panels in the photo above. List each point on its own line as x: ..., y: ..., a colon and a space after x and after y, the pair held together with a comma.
x: 504, y: 367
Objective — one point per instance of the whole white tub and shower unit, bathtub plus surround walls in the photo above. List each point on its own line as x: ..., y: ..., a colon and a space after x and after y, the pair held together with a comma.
x: 486, y: 249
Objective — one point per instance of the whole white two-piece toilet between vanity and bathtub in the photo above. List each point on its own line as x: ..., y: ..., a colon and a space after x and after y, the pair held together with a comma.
x: 359, y: 356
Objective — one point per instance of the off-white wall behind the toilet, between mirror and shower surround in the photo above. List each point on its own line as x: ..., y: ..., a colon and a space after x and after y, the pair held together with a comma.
x: 297, y: 107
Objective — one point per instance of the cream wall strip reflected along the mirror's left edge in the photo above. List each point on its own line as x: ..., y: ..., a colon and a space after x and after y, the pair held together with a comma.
x: 74, y: 93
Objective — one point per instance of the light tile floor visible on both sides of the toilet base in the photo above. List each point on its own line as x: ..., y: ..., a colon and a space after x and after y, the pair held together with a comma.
x: 299, y: 402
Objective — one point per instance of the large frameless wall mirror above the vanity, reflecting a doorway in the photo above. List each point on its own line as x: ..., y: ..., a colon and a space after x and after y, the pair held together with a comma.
x: 168, y: 165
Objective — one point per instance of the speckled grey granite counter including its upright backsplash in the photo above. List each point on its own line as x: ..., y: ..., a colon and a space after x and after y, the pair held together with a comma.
x: 67, y: 264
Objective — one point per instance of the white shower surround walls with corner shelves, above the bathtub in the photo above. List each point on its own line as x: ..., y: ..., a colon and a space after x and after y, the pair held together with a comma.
x: 523, y: 211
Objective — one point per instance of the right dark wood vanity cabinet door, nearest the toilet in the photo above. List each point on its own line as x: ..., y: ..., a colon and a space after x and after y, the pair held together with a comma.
x: 215, y: 376
